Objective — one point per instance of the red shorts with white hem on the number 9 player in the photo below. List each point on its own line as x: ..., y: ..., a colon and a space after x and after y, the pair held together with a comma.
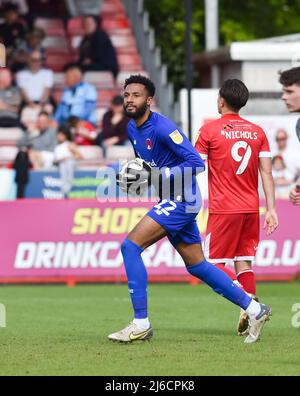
x: 232, y: 237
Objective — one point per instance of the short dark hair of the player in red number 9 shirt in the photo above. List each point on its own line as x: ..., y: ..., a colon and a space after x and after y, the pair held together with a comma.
x: 235, y: 93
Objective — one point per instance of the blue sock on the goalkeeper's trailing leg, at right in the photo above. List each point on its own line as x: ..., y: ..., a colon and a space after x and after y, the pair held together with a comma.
x: 220, y: 283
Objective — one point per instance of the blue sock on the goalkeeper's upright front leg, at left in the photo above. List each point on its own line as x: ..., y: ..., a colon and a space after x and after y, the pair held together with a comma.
x: 137, y: 278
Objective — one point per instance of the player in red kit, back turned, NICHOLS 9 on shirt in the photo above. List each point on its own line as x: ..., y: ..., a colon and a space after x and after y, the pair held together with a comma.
x: 236, y: 150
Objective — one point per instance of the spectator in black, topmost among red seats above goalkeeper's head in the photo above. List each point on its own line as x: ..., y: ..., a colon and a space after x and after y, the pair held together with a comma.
x: 96, y: 52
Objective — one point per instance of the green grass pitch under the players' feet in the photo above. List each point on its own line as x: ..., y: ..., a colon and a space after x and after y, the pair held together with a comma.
x: 56, y: 330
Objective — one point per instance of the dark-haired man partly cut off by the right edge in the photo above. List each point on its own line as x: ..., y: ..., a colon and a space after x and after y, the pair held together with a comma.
x: 290, y: 80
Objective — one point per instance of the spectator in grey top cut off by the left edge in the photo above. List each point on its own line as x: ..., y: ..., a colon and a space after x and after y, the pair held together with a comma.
x: 10, y: 100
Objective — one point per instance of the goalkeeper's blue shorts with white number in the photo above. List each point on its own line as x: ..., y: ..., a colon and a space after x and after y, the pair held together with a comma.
x: 179, y: 221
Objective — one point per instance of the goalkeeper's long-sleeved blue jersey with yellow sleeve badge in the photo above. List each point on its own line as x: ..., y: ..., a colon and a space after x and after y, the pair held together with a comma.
x: 162, y: 145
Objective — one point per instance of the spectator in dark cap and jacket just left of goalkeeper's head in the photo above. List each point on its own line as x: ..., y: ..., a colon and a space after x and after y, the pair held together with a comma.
x: 114, y: 125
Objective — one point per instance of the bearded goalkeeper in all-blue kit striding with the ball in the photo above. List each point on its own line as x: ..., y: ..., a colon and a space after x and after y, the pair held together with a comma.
x: 165, y: 157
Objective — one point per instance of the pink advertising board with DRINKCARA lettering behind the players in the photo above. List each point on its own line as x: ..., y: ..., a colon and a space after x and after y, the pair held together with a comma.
x: 72, y: 241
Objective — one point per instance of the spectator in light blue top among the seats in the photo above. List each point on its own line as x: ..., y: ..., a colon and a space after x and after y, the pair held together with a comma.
x: 78, y: 99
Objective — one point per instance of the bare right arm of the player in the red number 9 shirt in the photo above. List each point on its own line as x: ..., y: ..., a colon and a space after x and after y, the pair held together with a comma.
x: 271, y: 218
